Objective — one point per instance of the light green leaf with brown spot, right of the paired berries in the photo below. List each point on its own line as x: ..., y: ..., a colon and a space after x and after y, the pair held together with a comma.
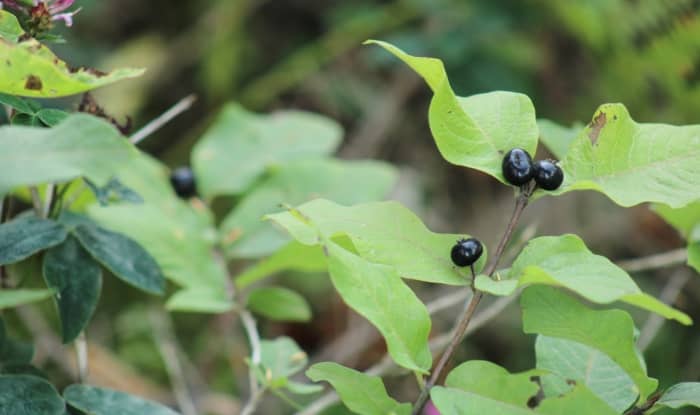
x: 632, y: 163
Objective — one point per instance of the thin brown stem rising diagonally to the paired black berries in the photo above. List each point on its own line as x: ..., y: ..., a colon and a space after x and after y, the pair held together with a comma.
x: 466, y: 317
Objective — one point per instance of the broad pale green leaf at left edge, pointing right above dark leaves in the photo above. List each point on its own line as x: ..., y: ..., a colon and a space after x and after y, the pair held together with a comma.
x: 82, y: 145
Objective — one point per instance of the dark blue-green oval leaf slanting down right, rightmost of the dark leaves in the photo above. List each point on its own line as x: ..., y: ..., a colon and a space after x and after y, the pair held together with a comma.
x: 125, y: 258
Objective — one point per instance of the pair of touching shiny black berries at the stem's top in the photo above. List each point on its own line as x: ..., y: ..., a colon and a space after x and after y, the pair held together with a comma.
x: 519, y: 169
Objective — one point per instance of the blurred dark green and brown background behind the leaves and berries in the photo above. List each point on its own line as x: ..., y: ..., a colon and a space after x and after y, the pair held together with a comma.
x: 569, y: 57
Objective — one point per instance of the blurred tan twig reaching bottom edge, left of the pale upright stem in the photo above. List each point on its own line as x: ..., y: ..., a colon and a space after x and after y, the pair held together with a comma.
x: 164, y: 336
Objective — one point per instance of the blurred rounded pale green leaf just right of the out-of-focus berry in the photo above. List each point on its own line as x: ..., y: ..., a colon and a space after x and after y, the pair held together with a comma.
x: 241, y: 145
